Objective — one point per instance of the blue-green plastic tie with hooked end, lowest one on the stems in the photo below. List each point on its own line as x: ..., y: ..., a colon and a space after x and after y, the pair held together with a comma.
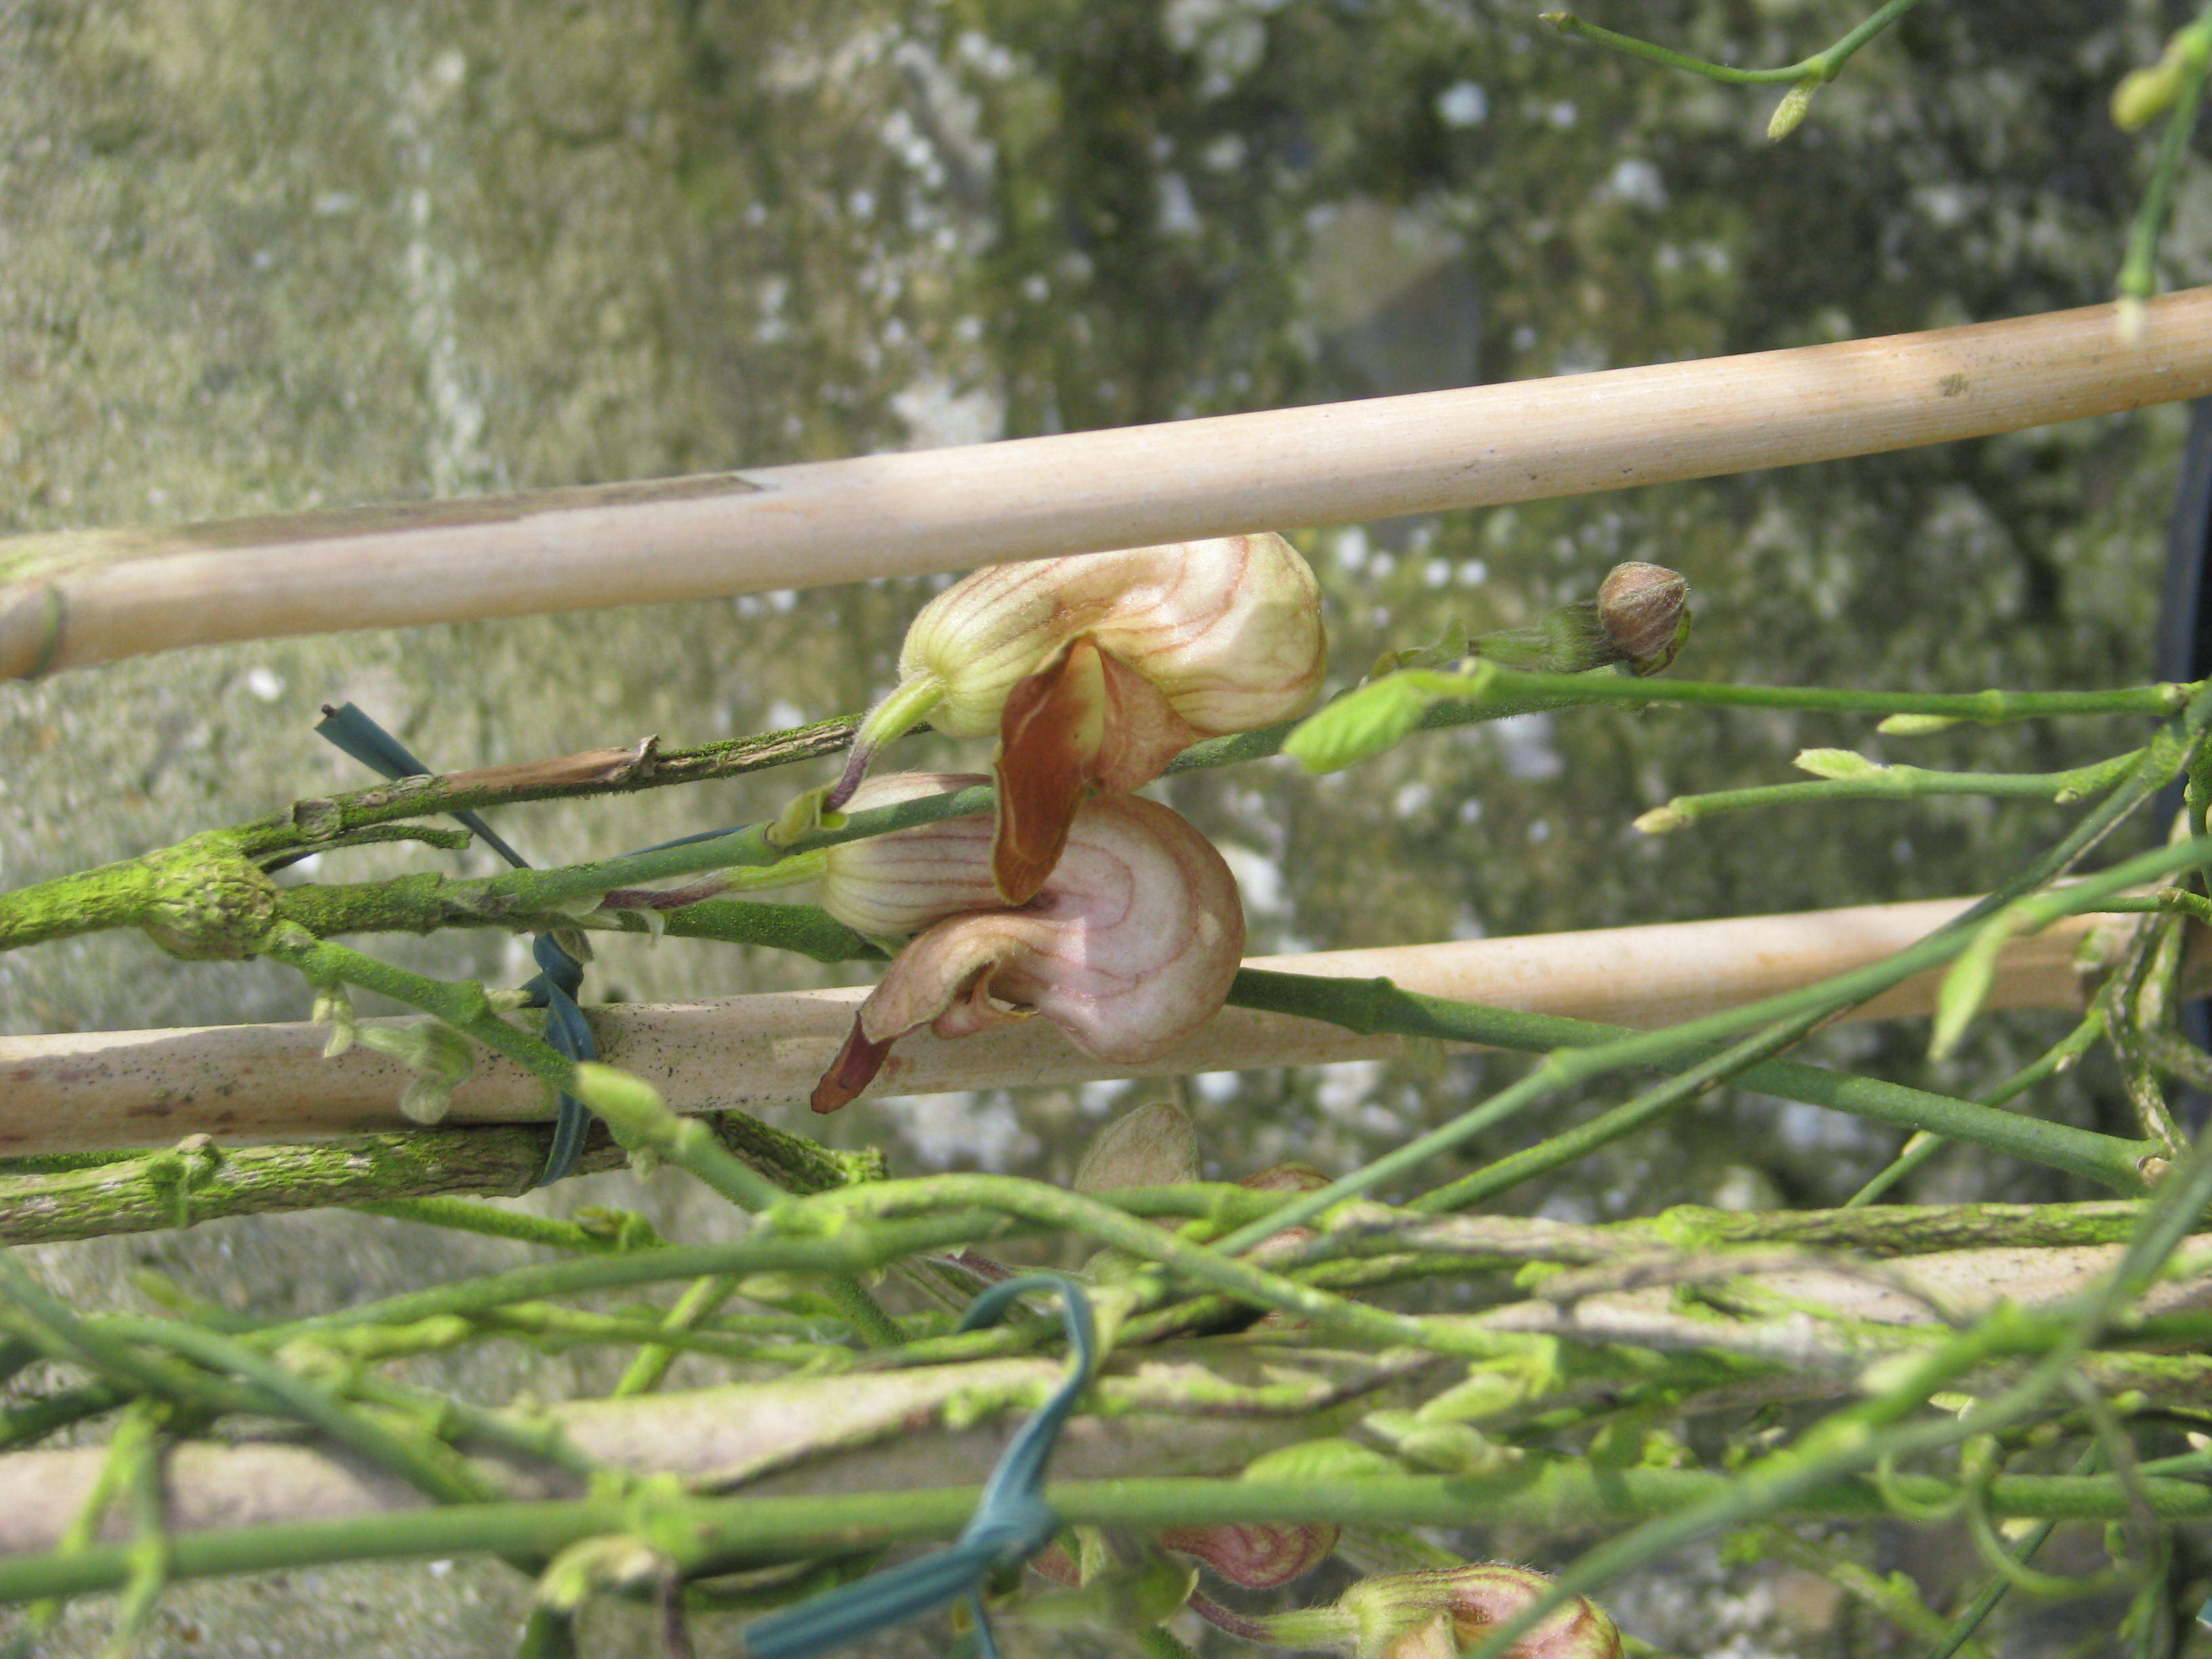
x: 1012, y: 1521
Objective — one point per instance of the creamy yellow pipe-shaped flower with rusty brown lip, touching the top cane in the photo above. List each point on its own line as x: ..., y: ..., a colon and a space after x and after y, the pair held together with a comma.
x: 1100, y: 669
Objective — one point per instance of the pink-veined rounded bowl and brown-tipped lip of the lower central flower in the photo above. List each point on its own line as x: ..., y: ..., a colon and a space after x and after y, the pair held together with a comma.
x: 1129, y: 950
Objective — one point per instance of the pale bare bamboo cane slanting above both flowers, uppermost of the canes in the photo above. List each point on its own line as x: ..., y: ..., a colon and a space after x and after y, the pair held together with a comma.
x: 81, y: 598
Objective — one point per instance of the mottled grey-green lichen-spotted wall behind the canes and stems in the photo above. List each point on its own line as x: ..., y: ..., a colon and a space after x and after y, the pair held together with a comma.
x: 335, y: 251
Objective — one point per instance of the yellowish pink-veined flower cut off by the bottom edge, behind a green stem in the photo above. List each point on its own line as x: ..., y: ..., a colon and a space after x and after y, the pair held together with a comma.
x: 1437, y: 1614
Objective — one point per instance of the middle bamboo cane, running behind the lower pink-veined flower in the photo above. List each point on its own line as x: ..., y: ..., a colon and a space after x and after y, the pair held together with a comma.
x: 255, y: 1083
